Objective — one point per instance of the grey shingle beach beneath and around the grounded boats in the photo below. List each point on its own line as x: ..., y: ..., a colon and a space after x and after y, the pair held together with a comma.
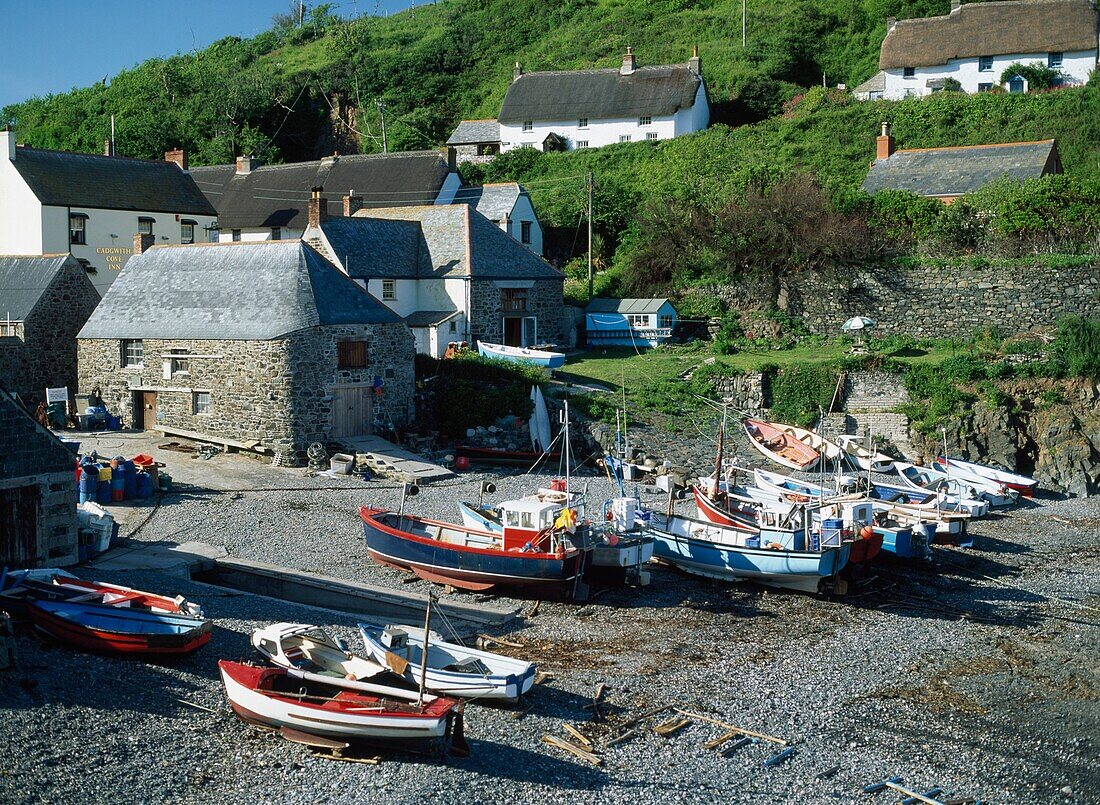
x: 978, y: 675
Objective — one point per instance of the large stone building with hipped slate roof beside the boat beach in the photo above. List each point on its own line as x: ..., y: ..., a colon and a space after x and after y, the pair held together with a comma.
x: 262, y: 347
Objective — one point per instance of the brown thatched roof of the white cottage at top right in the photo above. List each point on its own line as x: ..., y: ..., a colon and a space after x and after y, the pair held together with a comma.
x: 992, y: 29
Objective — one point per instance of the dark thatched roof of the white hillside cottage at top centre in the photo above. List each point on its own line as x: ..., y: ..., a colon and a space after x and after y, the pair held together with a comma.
x: 568, y: 95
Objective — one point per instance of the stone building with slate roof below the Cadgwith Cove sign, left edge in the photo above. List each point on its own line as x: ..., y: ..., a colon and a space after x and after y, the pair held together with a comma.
x: 45, y: 302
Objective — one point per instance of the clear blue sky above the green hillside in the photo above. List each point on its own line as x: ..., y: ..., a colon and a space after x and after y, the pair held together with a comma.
x: 50, y: 47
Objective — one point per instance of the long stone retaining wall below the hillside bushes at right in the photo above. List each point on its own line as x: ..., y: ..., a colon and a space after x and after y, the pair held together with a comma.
x: 936, y: 302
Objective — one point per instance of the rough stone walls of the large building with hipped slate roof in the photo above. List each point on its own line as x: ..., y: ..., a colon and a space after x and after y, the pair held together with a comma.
x: 276, y: 393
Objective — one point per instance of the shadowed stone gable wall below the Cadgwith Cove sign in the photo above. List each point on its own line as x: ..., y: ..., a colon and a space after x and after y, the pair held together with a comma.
x: 43, y: 352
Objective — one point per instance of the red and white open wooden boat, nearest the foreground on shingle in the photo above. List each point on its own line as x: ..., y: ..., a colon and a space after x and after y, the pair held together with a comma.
x: 288, y: 700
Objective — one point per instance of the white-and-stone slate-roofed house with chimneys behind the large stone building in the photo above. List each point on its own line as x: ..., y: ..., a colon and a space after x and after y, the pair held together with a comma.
x: 448, y: 271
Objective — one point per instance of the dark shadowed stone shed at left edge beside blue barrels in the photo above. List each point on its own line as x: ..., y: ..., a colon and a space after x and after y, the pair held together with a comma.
x: 38, y: 493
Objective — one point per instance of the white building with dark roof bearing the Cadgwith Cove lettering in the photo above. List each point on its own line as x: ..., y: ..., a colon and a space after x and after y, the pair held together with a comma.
x: 92, y: 206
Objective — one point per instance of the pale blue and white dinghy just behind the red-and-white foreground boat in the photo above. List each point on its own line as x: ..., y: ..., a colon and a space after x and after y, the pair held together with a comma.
x: 453, y: 670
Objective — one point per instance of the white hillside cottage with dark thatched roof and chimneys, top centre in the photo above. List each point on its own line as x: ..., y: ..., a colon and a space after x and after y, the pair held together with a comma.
x: 581, y: 109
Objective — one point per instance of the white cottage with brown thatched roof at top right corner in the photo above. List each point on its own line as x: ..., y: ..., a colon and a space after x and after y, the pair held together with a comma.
x: 975, y: 43
